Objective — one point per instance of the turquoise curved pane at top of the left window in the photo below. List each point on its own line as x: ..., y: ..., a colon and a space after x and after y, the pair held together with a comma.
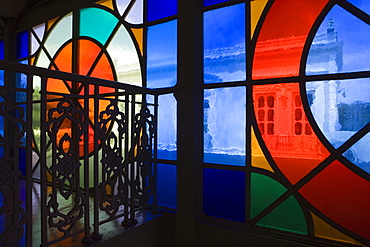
x: 97, y: 23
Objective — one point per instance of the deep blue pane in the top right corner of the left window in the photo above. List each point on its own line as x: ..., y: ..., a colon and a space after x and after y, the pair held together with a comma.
x: 158, y: 9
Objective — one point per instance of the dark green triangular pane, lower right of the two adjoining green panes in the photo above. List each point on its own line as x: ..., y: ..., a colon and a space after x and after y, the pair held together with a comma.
x: 288, y: 216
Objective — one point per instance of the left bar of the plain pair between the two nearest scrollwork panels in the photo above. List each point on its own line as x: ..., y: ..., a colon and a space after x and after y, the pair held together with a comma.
x: 29, y: 137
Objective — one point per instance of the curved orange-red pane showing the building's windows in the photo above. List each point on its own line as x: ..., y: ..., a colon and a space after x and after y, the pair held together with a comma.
x: 295, y: 152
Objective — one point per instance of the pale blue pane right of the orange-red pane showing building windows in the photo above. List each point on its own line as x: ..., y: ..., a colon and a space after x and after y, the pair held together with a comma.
x: 340, y: 108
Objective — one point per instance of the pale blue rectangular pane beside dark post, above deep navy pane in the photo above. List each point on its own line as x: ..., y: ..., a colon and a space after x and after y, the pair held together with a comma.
x: 224, y: 126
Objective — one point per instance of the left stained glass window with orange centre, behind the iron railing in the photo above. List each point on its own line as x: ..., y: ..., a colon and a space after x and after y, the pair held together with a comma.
x: 133, y: 42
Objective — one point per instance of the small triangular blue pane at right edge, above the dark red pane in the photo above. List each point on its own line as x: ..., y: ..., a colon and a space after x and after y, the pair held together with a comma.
x: 359, y: 153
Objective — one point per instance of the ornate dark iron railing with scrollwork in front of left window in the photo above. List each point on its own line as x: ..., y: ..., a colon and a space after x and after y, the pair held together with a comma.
x: 92, y: 149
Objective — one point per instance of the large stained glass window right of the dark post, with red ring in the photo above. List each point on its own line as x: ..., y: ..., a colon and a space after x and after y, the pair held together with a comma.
x: 305, y: 110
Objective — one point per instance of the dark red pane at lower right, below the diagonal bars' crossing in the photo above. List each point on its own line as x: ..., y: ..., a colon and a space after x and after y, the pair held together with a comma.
x: 337, y: 185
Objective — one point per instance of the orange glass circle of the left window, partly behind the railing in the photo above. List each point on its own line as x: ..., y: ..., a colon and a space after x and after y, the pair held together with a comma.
x: 88, y: 53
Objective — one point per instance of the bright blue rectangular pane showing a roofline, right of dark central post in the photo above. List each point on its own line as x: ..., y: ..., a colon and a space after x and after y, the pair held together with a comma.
x: 224, y: 44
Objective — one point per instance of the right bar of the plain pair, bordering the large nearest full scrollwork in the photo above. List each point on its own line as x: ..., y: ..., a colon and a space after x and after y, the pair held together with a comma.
x: 43, y: 163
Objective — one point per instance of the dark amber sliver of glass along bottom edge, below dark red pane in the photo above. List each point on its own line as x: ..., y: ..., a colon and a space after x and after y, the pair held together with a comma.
x: 324, y: 230
